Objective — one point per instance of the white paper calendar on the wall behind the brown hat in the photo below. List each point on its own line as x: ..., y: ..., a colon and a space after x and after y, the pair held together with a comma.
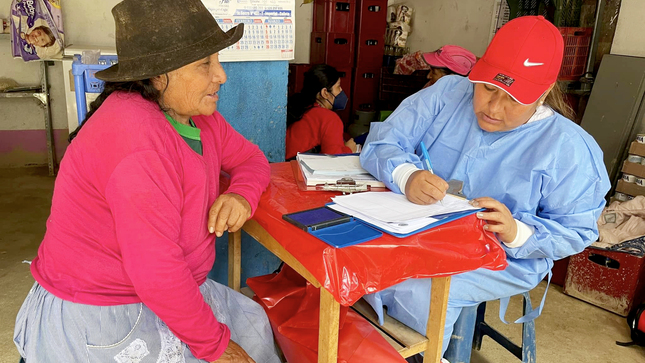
x: 269, y: 28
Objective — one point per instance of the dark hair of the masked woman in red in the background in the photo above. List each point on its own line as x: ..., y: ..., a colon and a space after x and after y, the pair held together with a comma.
x: 318, y: 77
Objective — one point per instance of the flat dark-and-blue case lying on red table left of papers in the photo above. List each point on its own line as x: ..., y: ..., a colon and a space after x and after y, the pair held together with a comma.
x: 334, y: 228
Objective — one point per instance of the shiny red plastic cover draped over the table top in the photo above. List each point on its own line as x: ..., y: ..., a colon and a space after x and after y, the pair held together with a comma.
x: 351, y: 272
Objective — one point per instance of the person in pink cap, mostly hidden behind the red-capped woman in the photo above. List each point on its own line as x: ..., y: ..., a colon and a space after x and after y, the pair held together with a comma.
x: 449, y: 59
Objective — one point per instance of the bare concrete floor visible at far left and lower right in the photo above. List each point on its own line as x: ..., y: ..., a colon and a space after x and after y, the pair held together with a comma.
x: 569, y: 330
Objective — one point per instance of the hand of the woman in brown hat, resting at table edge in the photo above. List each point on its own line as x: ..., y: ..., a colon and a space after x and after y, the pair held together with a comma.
x: 228, y: 213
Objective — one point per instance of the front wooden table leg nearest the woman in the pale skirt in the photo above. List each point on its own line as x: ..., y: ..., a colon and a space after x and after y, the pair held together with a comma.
x: 328, y: 329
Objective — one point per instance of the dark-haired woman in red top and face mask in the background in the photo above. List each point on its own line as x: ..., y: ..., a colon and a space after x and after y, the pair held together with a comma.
x: 312, y: 124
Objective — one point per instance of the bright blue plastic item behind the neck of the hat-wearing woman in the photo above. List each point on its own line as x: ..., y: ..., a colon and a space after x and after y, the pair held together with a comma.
x: 85, y: 82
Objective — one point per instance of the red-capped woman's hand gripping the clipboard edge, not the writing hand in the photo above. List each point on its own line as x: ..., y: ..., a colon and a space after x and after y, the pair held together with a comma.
x: 499, y: 218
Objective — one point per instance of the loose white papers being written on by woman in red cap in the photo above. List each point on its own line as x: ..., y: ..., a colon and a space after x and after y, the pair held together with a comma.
x: 394, y: 212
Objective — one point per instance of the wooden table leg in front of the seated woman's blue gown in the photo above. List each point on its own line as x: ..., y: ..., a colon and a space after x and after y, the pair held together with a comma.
x: 437, y: 319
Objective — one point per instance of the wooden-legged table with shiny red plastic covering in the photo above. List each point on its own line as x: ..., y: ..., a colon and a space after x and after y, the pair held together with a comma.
x: 347, y: 274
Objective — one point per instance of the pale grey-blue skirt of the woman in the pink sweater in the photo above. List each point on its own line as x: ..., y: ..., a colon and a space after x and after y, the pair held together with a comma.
x: 49, y: 329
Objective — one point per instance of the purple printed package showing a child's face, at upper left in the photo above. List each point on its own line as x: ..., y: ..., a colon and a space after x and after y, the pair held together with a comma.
x: 36, y: 29
